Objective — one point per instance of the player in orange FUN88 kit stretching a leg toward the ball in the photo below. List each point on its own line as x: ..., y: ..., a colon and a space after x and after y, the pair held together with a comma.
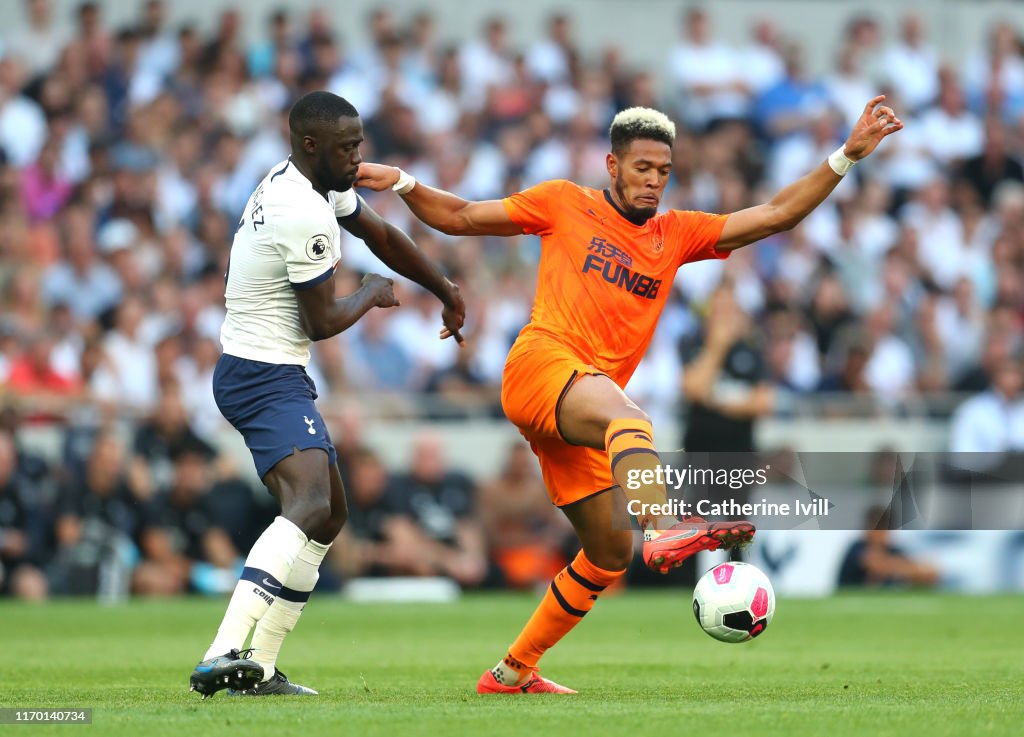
x: 609, y: 261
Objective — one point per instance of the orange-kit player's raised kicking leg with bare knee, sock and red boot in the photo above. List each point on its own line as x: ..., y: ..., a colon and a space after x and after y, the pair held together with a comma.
x: 596, y: 413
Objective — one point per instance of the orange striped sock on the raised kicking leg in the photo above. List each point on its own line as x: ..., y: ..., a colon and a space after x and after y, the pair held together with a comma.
x: 630, y: 445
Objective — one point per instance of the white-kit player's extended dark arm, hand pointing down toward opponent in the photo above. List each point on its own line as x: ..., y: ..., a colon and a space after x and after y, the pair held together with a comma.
x: 400, y: 253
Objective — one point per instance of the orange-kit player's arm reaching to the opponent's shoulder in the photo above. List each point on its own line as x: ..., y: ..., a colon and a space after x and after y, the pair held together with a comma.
x: 439, y: 209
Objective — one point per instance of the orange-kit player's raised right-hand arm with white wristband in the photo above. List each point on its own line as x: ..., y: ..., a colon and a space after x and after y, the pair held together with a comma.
x: 796, y: 202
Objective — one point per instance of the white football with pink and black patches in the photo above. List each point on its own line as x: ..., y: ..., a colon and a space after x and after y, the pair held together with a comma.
x: 735, y: 602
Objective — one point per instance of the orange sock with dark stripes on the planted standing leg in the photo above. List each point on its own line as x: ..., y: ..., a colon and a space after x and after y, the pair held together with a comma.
x: 573, y: 593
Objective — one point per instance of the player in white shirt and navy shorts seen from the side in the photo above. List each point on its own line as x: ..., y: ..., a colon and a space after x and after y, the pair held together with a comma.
x: 281, y: 296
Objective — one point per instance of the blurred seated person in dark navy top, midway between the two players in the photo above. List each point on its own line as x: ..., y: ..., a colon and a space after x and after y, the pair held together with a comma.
x: 436, y: 516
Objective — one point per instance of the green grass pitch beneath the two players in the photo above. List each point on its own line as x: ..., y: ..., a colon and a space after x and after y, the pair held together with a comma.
x: 856, y: 665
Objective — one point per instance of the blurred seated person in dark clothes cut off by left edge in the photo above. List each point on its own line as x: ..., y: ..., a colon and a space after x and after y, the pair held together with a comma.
x: 24, y: 530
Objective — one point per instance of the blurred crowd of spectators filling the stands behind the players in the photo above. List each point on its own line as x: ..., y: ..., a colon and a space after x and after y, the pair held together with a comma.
x: 126, y: 155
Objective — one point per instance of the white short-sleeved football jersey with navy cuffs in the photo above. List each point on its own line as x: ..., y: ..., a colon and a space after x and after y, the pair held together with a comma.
x: 288, y: 239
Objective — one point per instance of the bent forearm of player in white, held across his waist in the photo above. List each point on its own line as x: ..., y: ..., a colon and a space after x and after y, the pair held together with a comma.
x: 324, y: 317
